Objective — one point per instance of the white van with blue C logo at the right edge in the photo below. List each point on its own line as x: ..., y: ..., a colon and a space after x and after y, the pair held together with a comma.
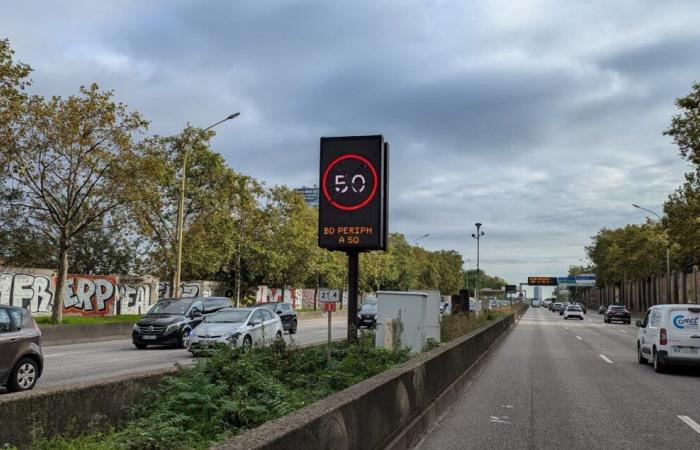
x: 669, y: 335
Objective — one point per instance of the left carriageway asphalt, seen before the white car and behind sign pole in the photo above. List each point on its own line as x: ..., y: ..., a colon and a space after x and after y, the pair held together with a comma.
x: 77, y: 363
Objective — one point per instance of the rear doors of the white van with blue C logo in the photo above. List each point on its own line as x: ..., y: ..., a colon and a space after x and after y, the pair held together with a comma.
x: 684, y: 331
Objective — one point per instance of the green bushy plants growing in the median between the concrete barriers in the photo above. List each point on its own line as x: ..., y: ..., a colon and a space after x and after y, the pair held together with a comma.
x: 235, y: 390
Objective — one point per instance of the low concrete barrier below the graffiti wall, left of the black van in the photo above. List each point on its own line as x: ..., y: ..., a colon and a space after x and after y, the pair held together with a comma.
x: 78, y: 334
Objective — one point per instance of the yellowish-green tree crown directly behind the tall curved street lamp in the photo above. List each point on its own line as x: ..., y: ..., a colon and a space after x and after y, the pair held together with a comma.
x: 217, y: 203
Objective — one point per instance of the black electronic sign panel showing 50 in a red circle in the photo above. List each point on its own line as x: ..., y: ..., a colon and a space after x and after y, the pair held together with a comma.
x: 352, y: 211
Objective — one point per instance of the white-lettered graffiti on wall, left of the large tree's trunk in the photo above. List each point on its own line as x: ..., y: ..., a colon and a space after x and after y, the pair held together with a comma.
x: 27, y: 288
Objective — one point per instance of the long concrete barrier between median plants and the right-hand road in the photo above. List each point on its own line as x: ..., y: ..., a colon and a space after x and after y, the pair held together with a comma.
x: 390, y: 410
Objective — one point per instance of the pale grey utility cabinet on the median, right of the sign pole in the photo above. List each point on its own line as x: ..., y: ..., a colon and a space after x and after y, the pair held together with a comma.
x: 418, y: 312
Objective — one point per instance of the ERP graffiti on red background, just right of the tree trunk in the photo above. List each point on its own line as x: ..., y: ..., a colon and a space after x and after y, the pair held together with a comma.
x: 90, y: 295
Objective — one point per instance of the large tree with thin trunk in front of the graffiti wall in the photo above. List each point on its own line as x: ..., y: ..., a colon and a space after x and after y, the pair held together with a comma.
x: 65, y: 166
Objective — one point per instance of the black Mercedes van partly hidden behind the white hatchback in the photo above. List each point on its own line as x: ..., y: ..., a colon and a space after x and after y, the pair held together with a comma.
x: 170, y: 320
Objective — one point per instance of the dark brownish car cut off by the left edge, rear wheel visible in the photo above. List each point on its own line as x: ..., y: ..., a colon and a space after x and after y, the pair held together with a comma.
x: 21, y: 361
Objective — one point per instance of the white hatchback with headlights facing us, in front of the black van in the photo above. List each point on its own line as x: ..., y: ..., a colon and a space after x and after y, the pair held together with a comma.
x: 242, y: 327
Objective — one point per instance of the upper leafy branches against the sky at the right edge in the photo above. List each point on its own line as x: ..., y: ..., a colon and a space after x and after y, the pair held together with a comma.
x: 685, y: 127
